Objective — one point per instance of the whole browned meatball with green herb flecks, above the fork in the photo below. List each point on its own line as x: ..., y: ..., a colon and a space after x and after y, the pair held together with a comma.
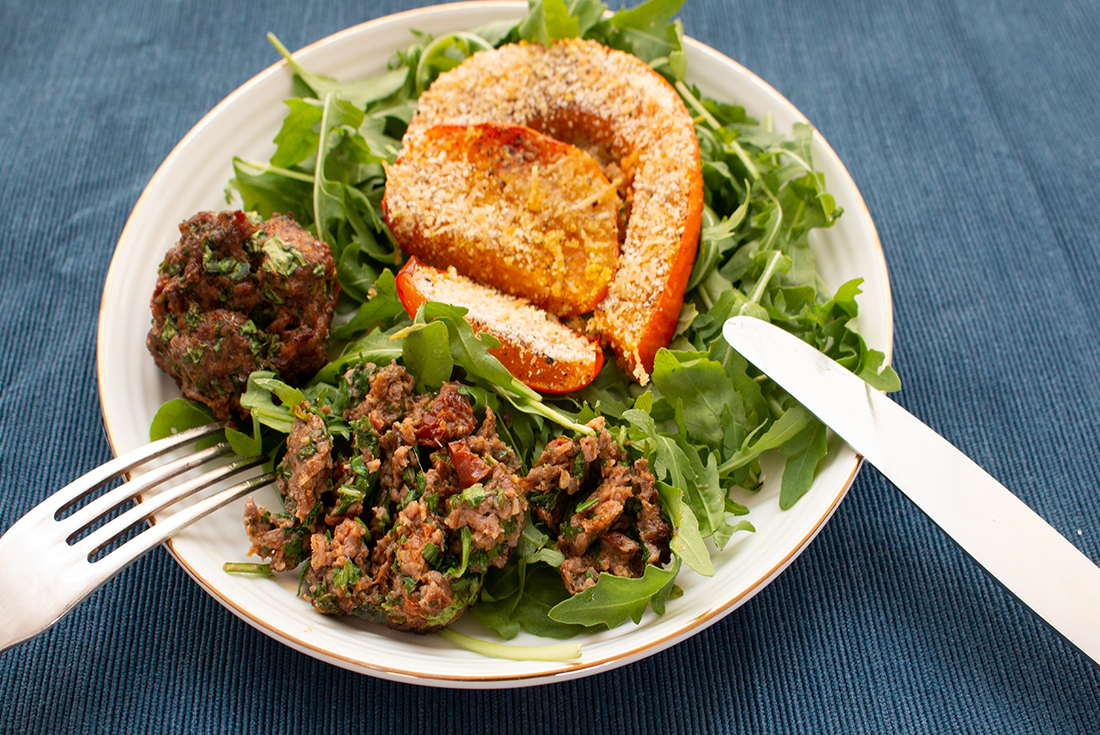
x: 239, y: 294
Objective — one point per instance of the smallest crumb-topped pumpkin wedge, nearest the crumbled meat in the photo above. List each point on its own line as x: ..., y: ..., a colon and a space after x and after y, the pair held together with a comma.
x: 535, y: 346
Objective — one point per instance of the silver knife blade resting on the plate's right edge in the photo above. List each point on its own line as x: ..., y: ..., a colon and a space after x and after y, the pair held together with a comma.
x: 1033, y: 562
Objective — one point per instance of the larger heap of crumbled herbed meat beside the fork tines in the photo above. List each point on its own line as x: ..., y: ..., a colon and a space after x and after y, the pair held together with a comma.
x: 383, y: 514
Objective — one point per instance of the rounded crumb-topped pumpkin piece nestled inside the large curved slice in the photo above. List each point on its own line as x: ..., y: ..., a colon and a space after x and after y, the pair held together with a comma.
x: 508, y: 207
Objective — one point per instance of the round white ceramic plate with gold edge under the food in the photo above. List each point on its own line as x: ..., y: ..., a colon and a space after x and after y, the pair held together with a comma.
x: 131, y: 388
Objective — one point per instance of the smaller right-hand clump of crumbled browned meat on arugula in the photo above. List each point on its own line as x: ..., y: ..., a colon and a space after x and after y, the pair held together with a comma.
x: 603, y: 509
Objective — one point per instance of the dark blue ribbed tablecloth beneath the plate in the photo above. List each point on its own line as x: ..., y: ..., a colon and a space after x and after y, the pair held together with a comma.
x: 972, y: 129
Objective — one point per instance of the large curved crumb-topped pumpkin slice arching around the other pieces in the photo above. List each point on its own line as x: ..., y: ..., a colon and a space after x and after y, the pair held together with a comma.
x: 625, y: 115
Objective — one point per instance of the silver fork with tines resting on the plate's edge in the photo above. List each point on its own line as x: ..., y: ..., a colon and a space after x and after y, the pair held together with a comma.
x: 49, y: 566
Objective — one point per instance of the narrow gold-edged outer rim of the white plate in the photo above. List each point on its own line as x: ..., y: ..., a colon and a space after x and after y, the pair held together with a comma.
x: 565, y: 670
